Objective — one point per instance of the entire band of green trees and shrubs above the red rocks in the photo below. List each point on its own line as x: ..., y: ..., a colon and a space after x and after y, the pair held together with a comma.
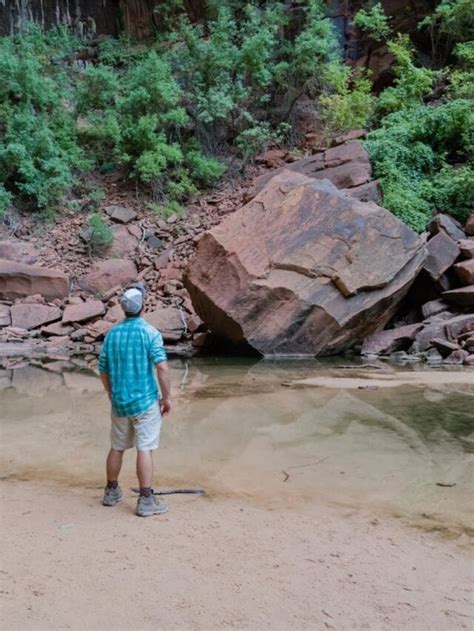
x: 175, y: 113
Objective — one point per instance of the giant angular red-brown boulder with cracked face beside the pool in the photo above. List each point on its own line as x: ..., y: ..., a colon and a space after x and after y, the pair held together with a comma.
x: 303, y: 269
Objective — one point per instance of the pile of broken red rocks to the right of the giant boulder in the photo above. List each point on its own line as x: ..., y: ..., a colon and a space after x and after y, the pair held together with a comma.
x: 439, y: 323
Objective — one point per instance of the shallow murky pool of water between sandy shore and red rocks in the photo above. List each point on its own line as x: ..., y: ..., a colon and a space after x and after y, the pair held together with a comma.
x: 393, y: 441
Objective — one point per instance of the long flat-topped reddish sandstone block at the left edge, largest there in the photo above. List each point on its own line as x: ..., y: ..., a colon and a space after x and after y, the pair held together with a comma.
x: 19, y: 279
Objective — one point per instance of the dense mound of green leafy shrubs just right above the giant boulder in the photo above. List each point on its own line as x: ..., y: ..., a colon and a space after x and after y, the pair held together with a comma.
x: 414, y: 153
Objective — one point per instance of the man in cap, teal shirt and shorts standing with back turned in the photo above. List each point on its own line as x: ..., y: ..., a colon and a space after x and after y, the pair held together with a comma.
x: 129, y: 355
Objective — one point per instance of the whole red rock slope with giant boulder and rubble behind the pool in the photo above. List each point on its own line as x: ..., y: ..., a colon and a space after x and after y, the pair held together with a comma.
x: 301, y: 260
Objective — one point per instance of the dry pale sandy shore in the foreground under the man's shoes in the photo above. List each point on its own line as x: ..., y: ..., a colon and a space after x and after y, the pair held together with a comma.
x: 215, y: 563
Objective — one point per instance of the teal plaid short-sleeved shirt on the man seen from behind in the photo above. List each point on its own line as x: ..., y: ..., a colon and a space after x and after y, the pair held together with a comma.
x: 129, y: 355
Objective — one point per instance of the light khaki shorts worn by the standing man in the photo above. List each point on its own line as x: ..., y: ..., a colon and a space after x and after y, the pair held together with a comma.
x: 142, y: 431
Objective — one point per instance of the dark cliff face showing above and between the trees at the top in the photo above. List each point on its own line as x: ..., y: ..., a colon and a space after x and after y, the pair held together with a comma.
x: 140, y: 18
